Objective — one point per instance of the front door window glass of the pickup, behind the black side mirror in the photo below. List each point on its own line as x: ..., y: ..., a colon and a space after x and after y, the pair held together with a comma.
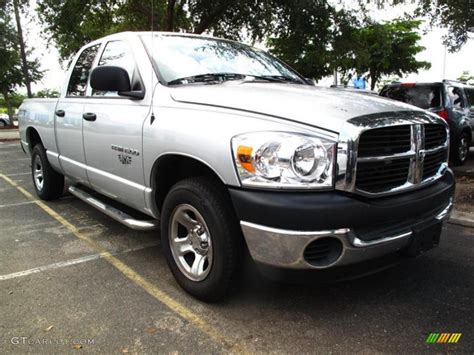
x: 119, y: 54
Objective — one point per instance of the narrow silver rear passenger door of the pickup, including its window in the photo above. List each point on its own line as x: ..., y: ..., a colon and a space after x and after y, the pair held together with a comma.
x: 69, y: 120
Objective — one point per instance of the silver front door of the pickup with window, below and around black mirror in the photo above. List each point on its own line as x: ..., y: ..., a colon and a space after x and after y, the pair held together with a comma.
x: 113, y: 138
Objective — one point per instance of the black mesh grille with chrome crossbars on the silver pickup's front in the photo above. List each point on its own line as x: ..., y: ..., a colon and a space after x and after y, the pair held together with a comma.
x: 394, y: 158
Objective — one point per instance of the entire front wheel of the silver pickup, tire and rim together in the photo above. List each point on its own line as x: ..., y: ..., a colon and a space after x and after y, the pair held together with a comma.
x: 216, y: 237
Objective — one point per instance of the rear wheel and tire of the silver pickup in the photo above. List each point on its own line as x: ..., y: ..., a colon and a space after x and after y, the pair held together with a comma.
x: 49, y: 184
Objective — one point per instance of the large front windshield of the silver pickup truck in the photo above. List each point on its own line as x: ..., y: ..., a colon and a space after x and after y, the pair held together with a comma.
x: 180, y: 57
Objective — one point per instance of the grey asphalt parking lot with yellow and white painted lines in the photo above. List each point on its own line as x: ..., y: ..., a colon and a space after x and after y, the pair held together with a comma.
x: 72, y: 279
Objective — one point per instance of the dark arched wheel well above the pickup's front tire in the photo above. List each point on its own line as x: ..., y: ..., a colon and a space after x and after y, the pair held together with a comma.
x: 171, y: 169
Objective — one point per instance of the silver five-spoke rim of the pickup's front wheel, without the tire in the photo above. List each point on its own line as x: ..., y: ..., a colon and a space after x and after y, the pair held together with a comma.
x: 190, y: 242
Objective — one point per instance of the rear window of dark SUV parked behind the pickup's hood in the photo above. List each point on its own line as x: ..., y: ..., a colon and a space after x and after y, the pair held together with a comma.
x: 425, y: 96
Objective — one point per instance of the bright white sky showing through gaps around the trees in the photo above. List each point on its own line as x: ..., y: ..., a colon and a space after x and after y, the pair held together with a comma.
x: 434, y: 53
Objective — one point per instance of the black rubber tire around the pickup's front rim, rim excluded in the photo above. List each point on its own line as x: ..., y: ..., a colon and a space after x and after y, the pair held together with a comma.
x: 223, y: 238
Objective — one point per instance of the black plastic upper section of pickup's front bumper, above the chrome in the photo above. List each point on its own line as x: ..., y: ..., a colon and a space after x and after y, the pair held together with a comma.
x: 313, y: 211
